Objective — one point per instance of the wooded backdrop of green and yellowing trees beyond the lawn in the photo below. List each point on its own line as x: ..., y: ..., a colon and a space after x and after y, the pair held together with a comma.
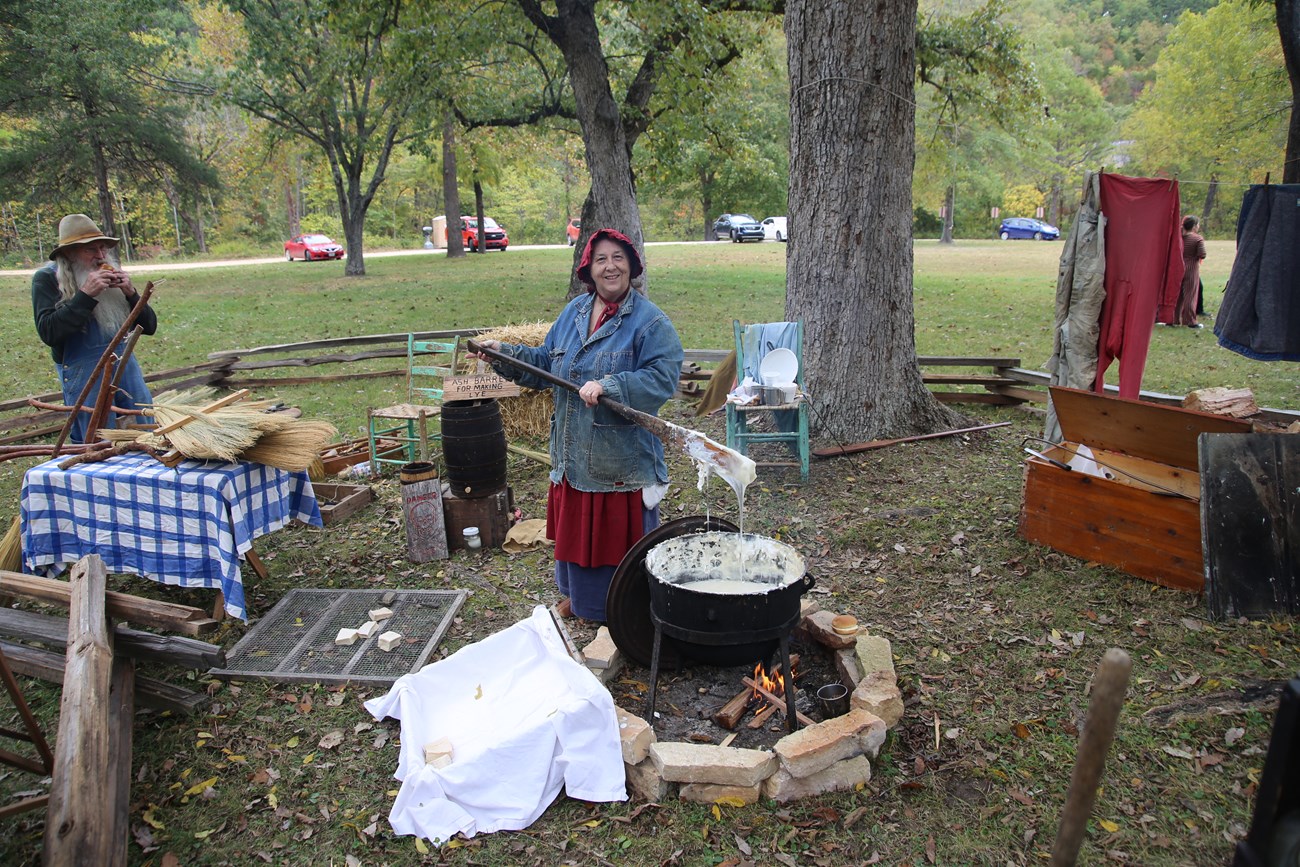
x: 203, y: 128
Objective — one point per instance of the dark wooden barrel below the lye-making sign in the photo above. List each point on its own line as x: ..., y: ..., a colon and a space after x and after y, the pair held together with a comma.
x: 474, y: 446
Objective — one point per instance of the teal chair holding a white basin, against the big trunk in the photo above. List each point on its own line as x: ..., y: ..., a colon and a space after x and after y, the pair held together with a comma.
x: 790, y: 419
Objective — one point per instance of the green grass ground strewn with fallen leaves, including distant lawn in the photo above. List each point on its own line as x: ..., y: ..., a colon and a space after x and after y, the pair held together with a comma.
x: 918, y: 541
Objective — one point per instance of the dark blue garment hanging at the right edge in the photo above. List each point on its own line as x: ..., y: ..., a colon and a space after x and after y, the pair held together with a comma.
x: 1260, y: 317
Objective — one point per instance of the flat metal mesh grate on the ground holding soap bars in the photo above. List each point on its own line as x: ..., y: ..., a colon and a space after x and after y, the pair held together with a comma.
x: 296, y: 640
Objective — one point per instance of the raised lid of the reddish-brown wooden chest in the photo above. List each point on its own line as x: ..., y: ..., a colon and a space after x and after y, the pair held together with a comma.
x: 1147, y: 431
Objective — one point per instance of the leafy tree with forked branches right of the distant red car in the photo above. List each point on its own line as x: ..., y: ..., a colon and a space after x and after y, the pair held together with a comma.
x: 345, y: 77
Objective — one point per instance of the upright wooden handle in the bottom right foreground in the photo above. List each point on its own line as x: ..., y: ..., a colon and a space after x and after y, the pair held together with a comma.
x: 1110, y: 686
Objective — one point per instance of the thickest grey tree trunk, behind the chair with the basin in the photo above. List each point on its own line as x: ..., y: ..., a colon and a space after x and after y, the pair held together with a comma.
x: 850, y: 268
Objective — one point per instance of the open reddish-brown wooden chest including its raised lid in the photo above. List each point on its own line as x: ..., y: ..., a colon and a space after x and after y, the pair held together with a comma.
x: 1143, y: 515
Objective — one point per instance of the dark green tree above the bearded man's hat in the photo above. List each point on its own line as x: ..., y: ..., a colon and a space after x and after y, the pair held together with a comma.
x: 93, y: 88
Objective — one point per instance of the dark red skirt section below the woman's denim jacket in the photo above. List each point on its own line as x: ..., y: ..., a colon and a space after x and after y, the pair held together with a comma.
x: 593, y: 530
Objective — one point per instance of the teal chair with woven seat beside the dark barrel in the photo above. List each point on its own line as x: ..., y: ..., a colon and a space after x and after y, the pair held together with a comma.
x: 402, y: 432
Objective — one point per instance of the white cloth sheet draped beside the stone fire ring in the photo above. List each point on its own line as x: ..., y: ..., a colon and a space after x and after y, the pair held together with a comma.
x: 525, y: 721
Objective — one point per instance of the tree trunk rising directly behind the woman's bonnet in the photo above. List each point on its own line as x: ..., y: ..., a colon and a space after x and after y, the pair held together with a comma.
x: 613, y: 200
